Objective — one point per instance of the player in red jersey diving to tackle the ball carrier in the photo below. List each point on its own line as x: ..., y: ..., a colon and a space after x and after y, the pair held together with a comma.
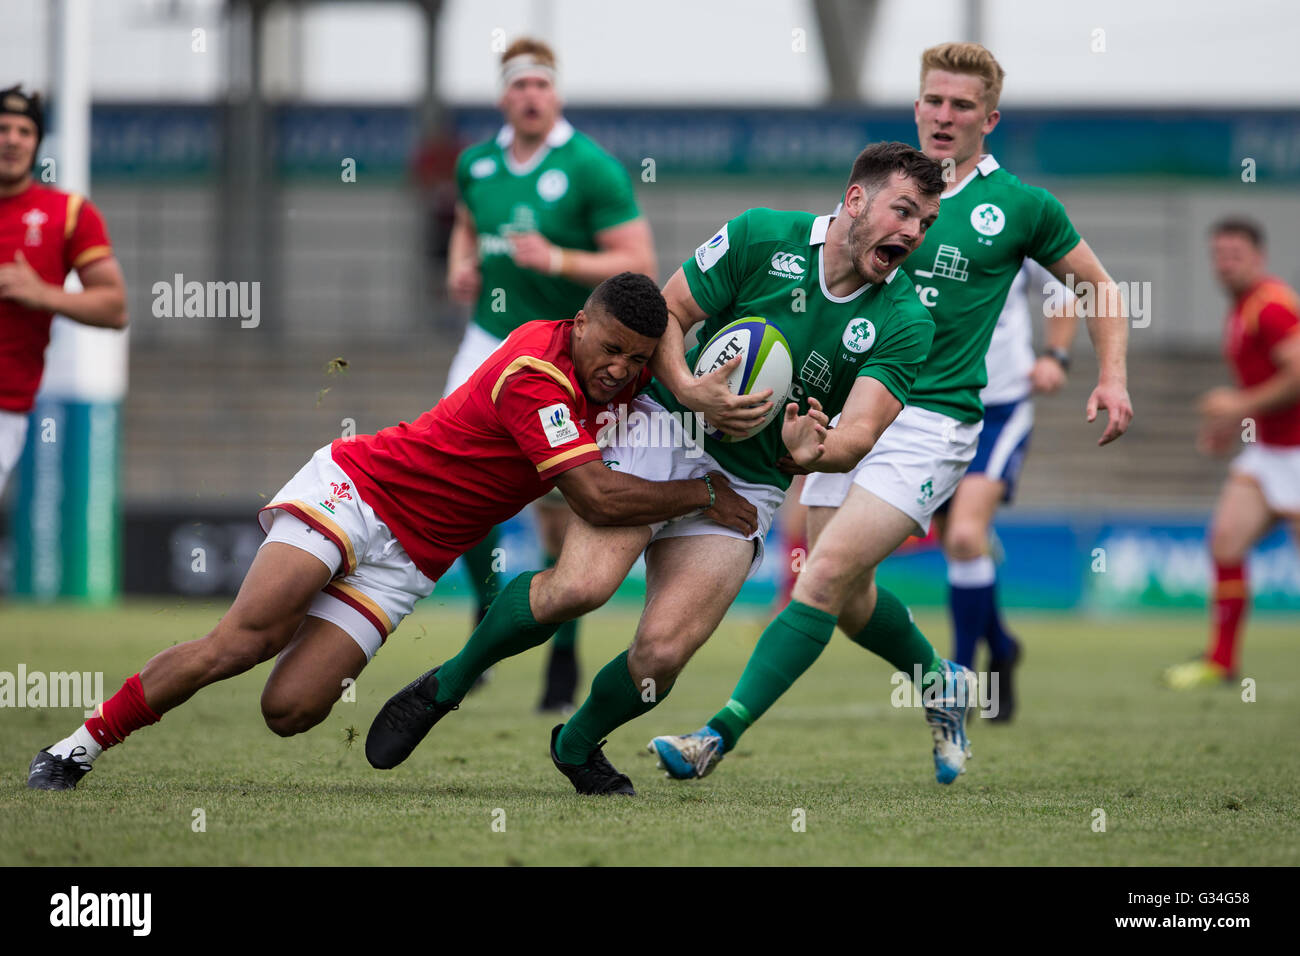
x: 367, y: 527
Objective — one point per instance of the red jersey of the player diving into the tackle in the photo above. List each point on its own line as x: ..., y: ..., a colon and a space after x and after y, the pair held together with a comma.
x: 500, y: 442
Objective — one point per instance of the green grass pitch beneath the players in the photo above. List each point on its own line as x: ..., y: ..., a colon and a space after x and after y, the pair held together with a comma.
x: 1194, y: 778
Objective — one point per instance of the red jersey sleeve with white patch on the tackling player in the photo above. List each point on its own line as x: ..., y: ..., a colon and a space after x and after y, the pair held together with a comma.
x: 540, y: 416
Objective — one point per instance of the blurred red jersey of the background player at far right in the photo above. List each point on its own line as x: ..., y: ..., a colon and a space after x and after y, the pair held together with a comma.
x: 1266, y: 315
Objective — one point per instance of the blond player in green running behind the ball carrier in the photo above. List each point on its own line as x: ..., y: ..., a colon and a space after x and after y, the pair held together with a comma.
x: 989, y: 224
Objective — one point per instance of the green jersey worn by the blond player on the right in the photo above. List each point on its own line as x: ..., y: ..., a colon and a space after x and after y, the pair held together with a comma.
x: 987, y: 226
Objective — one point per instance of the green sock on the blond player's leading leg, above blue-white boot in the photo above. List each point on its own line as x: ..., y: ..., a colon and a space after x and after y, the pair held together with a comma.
x: 788, y: 647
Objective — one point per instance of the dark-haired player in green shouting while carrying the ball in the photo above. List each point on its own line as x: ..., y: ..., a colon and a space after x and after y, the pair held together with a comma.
x: 859, y: 336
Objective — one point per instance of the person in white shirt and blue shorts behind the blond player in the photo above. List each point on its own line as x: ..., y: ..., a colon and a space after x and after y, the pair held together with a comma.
x: 965, y: 521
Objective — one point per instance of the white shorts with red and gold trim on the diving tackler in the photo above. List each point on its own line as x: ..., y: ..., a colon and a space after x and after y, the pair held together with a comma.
x: 376, y: 585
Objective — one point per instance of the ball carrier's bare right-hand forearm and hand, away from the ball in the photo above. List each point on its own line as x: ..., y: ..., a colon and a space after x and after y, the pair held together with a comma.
x: 866, y: 416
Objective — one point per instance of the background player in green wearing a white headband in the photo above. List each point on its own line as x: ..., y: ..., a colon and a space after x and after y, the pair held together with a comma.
x: 545, y: 215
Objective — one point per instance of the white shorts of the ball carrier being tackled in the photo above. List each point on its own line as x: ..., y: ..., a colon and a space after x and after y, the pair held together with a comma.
x: 664, y: 455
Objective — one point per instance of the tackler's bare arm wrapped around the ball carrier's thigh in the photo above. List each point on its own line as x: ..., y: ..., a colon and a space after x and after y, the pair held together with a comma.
x: 605, y: 498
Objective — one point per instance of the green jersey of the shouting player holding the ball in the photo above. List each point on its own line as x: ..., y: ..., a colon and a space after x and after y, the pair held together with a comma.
x: 768, y: 263
